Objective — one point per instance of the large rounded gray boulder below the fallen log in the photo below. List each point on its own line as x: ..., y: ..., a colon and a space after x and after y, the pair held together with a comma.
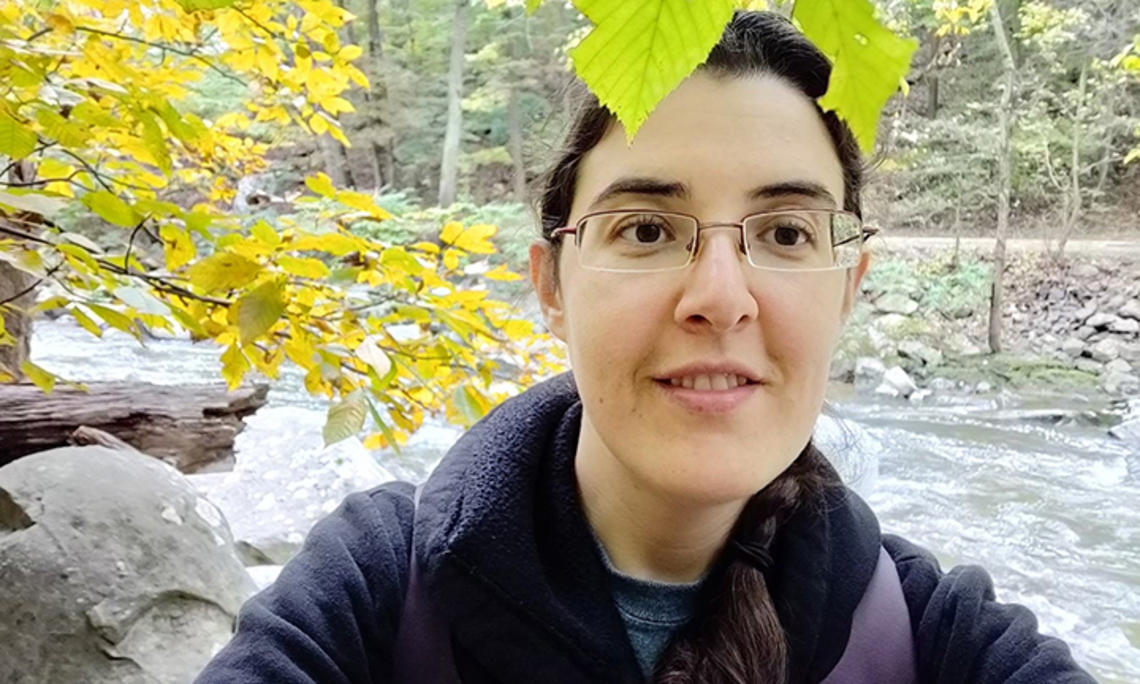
x: 112, y: 571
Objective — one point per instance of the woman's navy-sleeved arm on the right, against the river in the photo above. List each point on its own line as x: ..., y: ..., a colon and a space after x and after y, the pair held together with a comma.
x: 963, y: 634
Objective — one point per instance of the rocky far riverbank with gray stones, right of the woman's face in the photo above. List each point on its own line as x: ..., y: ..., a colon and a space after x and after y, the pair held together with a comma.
x: 921, y: 325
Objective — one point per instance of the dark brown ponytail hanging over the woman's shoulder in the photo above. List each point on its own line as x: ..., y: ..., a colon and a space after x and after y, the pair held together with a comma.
x: 737, y: 637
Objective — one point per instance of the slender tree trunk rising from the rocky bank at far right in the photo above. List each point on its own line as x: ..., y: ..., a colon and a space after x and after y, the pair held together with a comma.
x: 1005, y: 124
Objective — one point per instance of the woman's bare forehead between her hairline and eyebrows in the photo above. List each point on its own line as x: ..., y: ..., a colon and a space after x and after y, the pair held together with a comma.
x: 721, y: 137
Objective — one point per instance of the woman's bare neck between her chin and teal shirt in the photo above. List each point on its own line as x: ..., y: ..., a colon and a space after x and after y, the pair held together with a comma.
x: 646, y: 533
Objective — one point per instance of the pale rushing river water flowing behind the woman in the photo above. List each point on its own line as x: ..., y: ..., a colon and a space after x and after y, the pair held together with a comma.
x: 1033, y: 490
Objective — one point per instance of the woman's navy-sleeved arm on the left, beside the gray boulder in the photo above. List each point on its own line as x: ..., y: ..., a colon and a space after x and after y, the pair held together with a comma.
x: 331, y: 616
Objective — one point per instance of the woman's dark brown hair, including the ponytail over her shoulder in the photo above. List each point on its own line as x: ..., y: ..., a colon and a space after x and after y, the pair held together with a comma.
x: 736, y: 636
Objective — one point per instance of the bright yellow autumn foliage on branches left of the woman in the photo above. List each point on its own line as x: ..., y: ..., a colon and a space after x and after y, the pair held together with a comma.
x: 95, y: 101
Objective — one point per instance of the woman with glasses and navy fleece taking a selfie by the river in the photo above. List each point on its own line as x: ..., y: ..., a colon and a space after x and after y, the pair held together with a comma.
x: 663, y: 515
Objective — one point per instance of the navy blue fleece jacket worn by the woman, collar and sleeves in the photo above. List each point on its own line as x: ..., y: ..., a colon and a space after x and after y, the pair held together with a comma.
x: 510, y: 559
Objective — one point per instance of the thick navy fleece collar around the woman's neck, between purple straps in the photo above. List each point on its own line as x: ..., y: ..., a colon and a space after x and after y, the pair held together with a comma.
x: 510, y: 559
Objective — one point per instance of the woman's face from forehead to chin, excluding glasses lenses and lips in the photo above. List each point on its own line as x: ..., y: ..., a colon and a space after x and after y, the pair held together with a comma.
x: 715, y: 141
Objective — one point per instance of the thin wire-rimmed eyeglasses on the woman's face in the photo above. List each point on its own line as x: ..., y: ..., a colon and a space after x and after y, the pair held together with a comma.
x: 794, y: 240
